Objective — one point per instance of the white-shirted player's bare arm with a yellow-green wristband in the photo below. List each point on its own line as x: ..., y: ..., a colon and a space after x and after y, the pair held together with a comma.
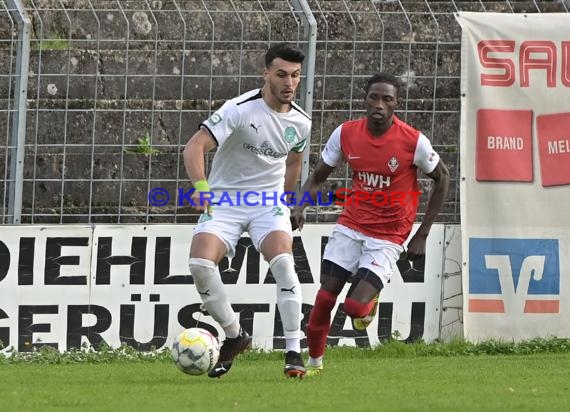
x: 198, y: 145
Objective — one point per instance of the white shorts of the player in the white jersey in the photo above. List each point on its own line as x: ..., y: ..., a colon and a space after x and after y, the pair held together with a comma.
x: 229, y: 222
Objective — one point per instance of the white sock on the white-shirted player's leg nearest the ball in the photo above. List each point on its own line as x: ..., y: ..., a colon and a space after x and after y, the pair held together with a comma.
x: 211, y: 289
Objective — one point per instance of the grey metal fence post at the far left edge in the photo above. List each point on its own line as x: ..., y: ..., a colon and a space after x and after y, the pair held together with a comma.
x: 18, y: 130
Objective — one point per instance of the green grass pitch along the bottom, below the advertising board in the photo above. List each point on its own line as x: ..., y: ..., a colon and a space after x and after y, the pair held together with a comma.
x: 395, y: 377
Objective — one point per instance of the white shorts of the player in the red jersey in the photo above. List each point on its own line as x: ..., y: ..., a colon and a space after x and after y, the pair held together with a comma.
x: 352, y: 250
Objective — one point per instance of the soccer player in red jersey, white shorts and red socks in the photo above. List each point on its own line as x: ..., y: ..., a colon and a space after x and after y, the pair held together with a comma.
x: 384, y: 154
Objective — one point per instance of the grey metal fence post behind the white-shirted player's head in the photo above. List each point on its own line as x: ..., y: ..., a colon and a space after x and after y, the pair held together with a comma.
x: 308, y: 86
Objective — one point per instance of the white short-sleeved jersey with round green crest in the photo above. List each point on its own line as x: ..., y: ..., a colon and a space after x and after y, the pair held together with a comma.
x: 253, y: 144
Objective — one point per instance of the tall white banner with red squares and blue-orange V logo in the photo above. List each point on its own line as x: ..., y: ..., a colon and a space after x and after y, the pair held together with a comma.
x: 515, y: 175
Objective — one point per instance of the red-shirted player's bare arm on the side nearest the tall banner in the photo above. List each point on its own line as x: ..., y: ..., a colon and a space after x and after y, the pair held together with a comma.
x: 440, y: 177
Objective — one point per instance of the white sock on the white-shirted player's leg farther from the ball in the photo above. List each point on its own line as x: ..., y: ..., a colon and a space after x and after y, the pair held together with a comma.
x: 289, y: 299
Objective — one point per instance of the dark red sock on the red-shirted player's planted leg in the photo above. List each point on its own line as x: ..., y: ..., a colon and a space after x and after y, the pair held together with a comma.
x: 320, y: 323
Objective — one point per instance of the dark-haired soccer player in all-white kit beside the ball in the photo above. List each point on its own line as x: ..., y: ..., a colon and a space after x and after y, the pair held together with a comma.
x: 260, y: 137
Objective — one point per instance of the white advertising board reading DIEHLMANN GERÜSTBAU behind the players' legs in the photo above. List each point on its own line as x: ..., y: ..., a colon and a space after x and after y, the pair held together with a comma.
x: 72, y: 286
